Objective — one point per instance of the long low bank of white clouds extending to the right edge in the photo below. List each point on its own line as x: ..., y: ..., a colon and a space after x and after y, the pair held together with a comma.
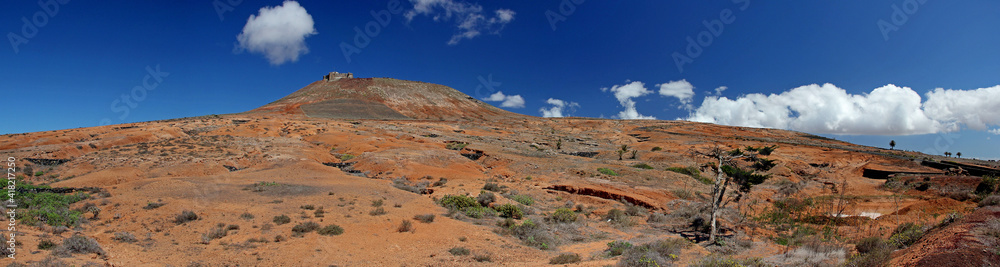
x: 887, y: 110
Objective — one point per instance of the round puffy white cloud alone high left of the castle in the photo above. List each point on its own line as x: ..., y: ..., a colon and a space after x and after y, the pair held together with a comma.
x: 278, y: 32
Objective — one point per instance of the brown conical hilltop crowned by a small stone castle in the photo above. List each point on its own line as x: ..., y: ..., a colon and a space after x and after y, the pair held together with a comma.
x: 341, y: 96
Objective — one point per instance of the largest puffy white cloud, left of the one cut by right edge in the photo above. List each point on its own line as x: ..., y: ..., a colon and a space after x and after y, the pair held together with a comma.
x: 887, y: 110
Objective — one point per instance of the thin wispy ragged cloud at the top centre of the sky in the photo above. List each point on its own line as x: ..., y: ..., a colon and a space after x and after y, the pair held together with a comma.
x: 469, y: 19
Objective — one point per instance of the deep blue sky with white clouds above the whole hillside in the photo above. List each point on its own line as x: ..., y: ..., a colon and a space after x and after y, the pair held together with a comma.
x: 822, y: 67
